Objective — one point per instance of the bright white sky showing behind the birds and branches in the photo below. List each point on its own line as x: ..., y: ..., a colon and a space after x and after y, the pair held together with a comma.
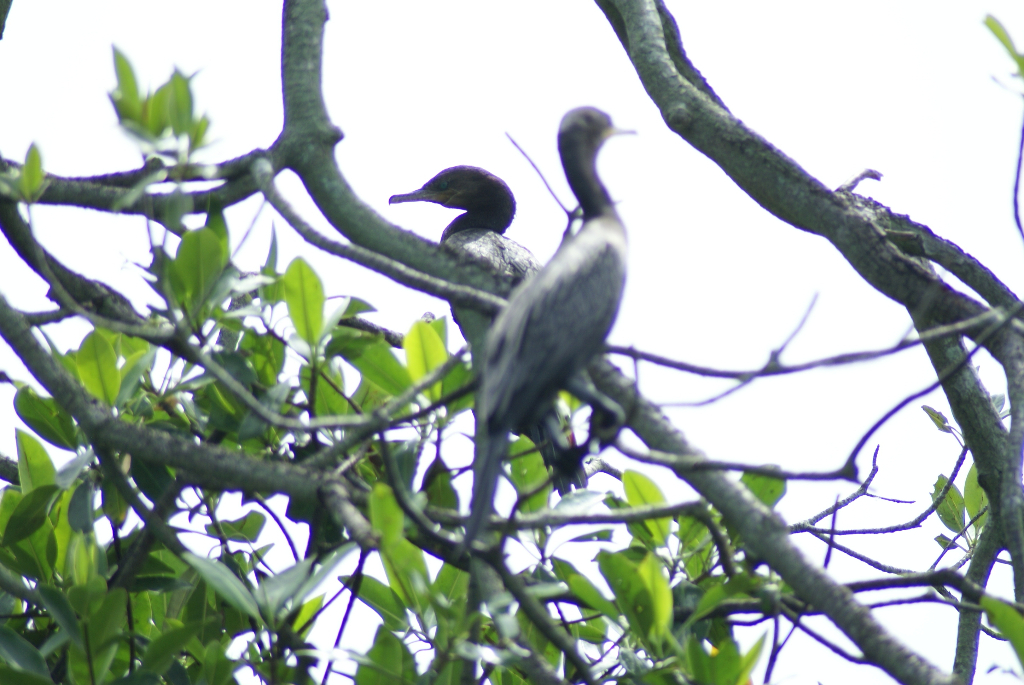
x: 714, y: 280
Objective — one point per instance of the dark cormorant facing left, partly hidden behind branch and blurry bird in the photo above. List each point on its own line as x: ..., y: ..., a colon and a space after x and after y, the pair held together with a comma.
x: 479, y: 235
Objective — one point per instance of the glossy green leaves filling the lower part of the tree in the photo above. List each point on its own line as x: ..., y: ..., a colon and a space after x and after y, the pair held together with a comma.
x: 254, y: 373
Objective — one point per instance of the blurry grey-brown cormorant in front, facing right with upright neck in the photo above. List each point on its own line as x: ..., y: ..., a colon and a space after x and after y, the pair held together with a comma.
x: 556, y: 322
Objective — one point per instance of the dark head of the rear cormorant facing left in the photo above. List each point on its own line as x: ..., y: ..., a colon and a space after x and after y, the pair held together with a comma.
x: 472, y: 189
